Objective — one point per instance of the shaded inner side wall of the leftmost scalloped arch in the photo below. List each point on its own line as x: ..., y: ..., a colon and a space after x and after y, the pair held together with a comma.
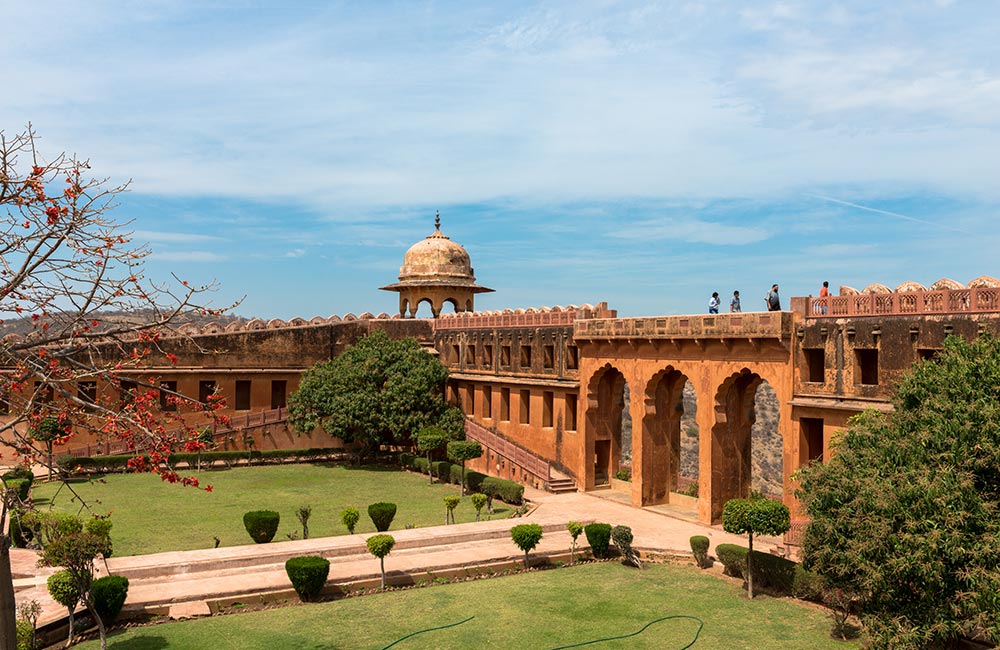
x: 605, y: 404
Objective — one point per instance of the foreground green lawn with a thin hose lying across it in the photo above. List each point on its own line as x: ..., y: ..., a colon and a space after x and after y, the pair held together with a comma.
x: 544, y: 609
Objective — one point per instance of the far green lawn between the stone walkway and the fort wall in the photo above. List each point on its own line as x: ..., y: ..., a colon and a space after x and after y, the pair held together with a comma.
x: 151, y: 516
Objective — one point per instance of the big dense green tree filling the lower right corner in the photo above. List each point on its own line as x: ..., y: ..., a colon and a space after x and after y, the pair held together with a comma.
x: 904, y: 517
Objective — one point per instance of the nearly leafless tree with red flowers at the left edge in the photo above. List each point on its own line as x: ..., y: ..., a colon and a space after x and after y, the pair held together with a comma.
x: 69, y: 270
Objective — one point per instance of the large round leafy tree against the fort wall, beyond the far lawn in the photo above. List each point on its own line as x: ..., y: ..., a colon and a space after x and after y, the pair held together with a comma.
x: 379, y: 391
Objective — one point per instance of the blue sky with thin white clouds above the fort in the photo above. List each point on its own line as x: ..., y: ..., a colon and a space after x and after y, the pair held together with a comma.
x: 640, y: 153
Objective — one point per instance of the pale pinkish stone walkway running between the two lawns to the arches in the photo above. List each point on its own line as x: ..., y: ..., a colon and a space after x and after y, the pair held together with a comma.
x: 180, y: 583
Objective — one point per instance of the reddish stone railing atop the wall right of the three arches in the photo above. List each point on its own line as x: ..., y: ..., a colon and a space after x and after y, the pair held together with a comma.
x: 905, y: 303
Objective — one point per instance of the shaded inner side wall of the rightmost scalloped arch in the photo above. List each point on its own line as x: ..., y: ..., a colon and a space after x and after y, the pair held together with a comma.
x: 731, y: 439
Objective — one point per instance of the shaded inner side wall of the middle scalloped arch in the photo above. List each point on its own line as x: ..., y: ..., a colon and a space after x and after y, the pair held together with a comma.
x: 663, y: 406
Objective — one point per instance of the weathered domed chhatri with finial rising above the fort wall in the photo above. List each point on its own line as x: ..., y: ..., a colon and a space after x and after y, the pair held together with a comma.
x: 438, y: 271
